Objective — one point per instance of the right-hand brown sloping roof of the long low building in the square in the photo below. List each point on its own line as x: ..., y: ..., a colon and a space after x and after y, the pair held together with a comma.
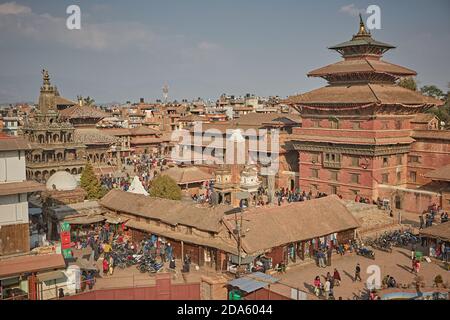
x: 298, y: 221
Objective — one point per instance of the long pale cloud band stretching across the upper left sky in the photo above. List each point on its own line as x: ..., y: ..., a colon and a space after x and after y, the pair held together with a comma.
x: 112, y: 36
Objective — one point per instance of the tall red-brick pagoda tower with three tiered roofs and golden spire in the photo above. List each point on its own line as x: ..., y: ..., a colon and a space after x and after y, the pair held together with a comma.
x: 357, y: 130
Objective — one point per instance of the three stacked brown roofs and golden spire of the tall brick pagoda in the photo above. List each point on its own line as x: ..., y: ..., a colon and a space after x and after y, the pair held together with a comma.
x: 362, y: 80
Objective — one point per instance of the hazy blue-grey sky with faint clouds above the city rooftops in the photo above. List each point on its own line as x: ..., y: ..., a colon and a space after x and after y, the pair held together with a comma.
x: 203, y: 48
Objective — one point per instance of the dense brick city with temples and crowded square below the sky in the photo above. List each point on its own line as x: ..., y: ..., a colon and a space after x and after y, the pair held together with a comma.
x: 338, y: 193
